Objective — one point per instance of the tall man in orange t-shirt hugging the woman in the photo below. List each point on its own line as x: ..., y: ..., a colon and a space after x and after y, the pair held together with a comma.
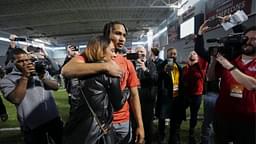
x: 77, y: 67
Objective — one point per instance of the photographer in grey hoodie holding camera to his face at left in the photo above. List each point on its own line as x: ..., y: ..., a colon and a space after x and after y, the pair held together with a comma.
x: 30, y: 91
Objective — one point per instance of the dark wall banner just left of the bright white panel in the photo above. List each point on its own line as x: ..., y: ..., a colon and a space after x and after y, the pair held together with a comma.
x: 173, y: 33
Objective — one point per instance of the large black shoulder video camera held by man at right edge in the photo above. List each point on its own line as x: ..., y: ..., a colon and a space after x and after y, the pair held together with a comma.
x: 231, y: 45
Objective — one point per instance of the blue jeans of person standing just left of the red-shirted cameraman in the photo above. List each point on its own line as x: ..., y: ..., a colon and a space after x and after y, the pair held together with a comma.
x: 207, y: 130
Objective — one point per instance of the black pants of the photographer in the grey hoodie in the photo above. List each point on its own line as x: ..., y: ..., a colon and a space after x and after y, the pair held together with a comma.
x: 49, y: 131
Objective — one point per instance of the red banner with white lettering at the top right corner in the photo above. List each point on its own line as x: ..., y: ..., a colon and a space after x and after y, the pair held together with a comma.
x: 215, y: 8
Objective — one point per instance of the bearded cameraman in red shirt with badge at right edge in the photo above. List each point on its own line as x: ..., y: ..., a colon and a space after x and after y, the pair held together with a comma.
x: 235, y: 108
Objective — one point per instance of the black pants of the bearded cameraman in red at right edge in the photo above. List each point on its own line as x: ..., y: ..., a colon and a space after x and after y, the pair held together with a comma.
x: 239, y: 130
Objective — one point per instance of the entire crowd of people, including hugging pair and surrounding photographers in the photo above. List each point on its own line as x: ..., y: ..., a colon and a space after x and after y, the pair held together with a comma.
x: 113, y: 99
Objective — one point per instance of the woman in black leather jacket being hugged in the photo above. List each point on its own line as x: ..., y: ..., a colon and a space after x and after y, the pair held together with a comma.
x: 103, y: 95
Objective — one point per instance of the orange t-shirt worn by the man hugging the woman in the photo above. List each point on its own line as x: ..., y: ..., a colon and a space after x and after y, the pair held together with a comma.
x: 129, y: 79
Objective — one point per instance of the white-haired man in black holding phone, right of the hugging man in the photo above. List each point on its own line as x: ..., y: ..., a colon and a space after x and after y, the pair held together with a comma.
x: 147, y: 74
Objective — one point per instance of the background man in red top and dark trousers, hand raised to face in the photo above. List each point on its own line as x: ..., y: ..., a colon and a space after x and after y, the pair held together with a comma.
x: 194, y: 74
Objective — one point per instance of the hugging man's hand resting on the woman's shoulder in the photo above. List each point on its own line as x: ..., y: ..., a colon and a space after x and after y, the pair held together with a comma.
x: 114, y: 69
